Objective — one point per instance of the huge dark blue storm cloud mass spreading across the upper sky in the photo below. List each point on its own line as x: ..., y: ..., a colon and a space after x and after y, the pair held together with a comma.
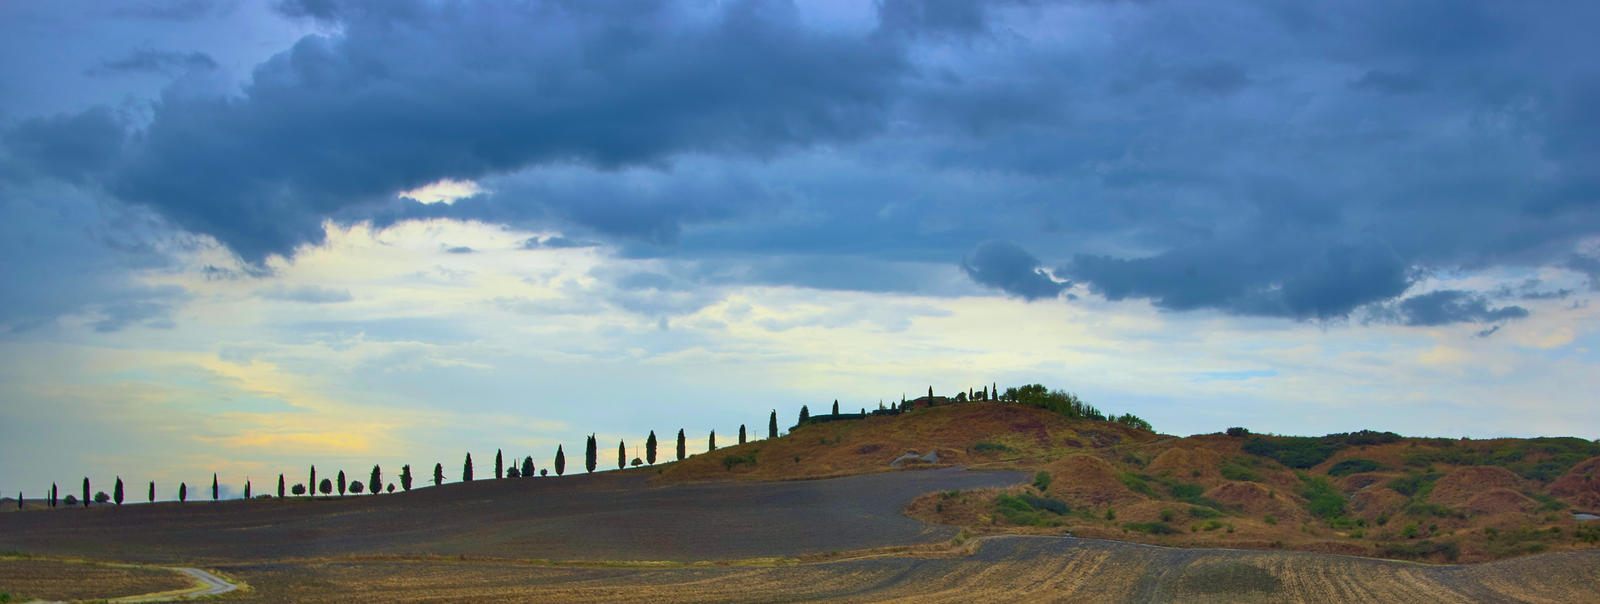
x: 1257, y: 159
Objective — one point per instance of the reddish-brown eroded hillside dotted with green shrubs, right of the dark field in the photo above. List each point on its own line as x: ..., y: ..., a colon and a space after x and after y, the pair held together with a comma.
x: 1412, y: 499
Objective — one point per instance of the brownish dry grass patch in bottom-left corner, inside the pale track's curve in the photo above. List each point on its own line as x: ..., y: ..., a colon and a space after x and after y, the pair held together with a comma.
x: 65, y: 581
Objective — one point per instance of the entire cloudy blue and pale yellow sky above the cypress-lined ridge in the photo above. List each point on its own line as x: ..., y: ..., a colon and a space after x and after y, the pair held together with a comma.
x: 247, y: 237
